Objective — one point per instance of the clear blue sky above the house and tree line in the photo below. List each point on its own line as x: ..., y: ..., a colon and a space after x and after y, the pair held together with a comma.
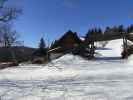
x: 51, y: 18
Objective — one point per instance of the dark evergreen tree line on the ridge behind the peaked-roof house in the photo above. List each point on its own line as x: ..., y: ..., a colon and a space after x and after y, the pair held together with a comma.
x: 98, y: 32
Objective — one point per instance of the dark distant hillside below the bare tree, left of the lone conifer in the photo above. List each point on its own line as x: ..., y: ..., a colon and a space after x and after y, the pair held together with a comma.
x: 19, y: 53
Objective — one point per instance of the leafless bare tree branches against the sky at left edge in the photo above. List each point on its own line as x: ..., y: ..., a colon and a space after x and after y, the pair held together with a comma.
x: 7, y: 35
